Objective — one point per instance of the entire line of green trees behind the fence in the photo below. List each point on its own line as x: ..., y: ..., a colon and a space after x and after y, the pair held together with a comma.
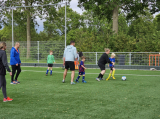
x: 121, y: 25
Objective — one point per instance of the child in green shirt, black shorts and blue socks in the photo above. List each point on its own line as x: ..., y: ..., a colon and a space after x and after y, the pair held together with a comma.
x: 50, y: 60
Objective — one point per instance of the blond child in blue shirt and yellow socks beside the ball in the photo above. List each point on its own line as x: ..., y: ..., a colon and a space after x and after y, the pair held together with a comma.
x: 112, y: 71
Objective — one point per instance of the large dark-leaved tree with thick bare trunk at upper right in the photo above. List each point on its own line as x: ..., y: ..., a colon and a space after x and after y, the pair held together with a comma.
x: 109, y: 8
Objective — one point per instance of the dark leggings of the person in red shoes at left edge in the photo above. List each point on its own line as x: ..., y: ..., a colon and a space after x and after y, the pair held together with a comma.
x: 3, y: 85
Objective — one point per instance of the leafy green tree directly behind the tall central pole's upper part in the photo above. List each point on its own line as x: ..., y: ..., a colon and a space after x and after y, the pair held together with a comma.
x: 56, y: 25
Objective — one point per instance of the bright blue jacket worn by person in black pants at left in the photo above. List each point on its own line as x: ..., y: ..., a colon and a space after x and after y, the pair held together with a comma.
x: 14, y: 57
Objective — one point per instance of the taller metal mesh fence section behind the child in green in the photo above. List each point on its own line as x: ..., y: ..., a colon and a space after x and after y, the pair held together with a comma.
x: 39, y: 51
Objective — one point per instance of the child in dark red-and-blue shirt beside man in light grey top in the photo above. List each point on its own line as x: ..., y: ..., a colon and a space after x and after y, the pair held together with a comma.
x: 81, y: 70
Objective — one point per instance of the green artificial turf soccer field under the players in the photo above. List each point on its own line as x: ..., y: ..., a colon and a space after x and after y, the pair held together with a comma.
x: 39, y: 96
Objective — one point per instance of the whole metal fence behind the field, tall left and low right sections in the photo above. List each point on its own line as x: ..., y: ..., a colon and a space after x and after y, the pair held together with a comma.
x: 40, y: 50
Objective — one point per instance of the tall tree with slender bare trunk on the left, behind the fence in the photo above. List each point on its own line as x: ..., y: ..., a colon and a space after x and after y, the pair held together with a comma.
x: 30, y: 13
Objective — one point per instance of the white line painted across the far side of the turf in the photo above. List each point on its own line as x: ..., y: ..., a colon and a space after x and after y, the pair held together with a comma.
x: 90, y: 73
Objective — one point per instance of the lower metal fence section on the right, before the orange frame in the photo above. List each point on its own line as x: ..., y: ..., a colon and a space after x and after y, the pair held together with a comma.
x: 127, y: 58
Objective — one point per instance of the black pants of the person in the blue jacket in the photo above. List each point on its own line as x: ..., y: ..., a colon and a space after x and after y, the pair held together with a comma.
x: 14, y: 68
